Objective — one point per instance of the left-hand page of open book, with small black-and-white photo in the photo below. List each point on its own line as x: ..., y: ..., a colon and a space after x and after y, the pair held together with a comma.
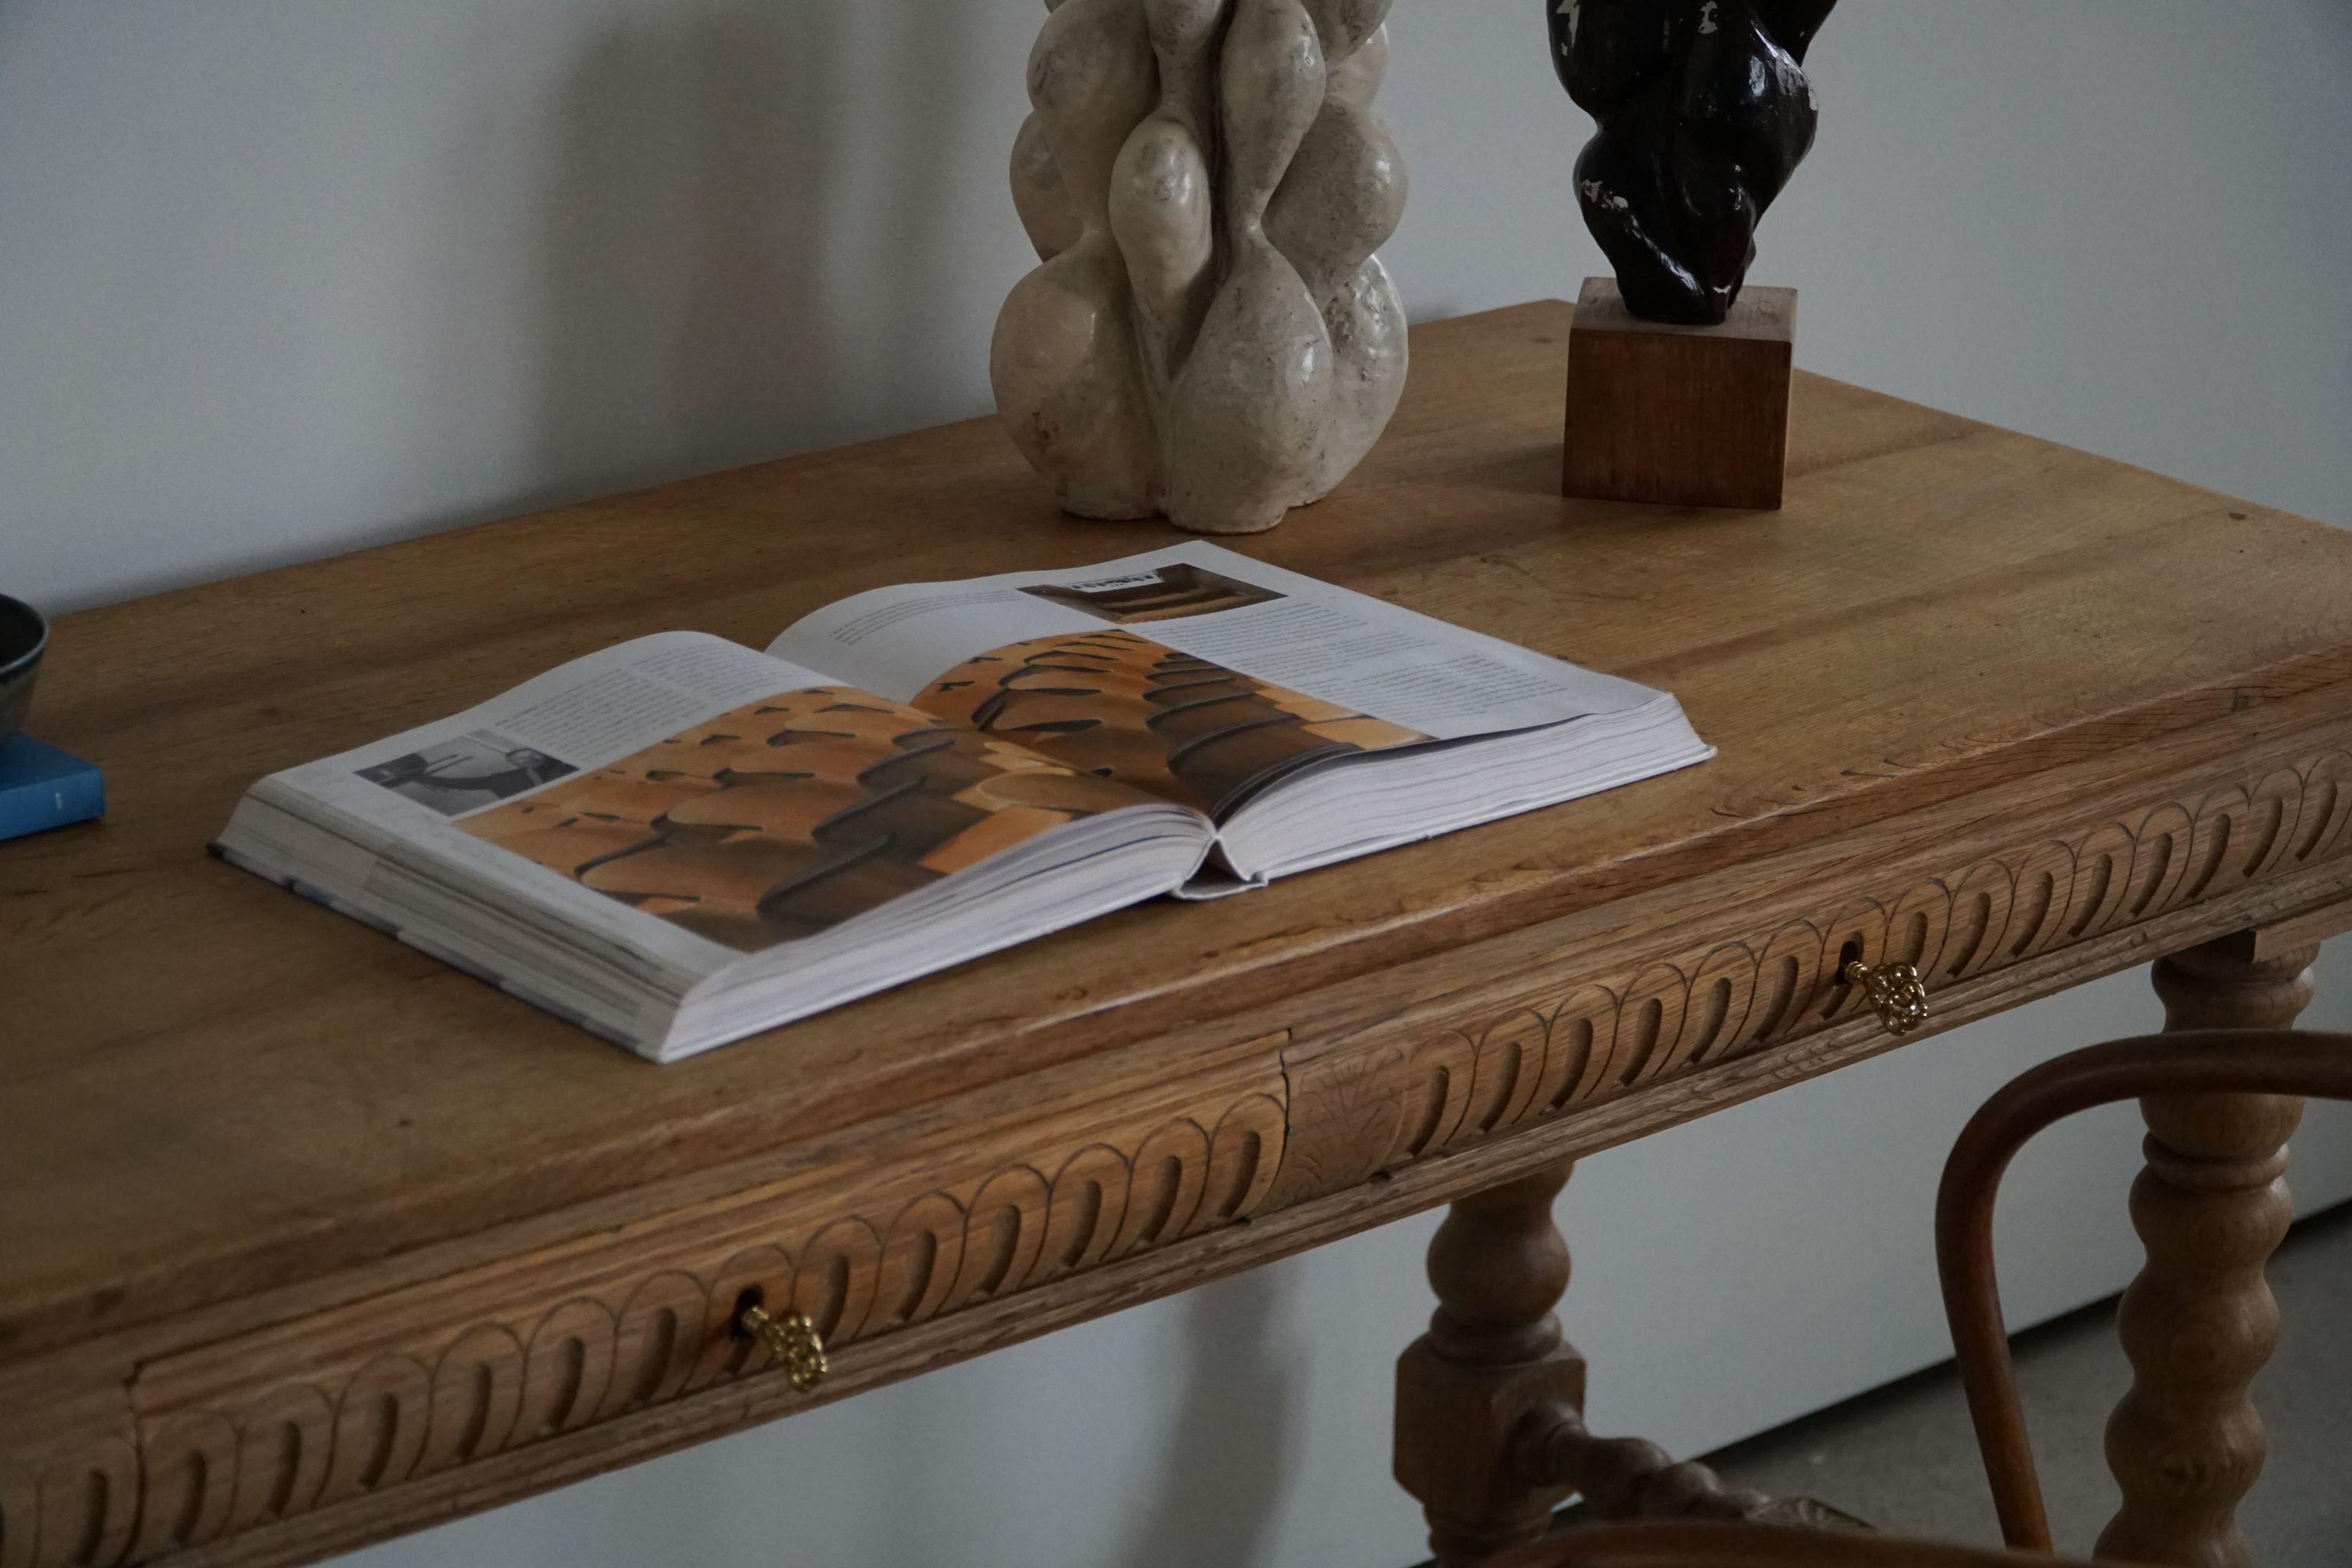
x: 686, y: 793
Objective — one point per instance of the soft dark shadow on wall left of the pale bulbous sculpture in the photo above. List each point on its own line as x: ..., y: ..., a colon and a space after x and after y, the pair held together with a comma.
x: 714, y: 234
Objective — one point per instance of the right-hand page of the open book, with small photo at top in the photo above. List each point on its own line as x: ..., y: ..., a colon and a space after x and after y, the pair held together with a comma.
x: 1196, y: 674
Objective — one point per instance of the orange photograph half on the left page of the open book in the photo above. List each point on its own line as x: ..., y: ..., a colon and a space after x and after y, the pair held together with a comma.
x: 794, y: 815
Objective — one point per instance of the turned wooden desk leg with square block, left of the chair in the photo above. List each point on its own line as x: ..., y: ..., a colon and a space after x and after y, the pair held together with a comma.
x: 1492, y: 1358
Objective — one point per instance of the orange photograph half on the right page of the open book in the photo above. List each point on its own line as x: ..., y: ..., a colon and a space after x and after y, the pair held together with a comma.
x: 1121, y: 706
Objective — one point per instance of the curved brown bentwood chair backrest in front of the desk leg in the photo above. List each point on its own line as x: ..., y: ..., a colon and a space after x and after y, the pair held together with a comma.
x: 2203, y: 1061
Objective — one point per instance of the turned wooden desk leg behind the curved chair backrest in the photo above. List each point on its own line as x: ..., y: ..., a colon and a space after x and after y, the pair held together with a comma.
x: 2200, y: 1320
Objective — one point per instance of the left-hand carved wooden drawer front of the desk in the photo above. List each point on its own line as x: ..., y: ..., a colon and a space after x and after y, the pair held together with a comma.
x: 417, y: 1383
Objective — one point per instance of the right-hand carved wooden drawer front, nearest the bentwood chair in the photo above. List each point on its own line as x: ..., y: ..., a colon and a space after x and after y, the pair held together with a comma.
x: 1450, y: 1052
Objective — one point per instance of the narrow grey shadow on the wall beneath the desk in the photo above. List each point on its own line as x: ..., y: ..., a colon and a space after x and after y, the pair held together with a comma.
x: 1231, y: 1440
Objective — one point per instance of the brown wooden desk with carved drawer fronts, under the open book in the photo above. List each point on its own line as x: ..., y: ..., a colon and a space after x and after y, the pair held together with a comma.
x: 309, y: 1240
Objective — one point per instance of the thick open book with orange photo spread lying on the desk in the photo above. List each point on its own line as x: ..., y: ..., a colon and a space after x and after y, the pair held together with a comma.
x: 679, y: 840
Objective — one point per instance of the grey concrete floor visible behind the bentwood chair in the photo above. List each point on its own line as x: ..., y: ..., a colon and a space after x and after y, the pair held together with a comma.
x: 1906, y: 1459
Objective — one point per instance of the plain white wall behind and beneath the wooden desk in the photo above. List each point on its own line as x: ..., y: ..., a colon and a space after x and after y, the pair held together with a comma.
x: 290, y: 276
